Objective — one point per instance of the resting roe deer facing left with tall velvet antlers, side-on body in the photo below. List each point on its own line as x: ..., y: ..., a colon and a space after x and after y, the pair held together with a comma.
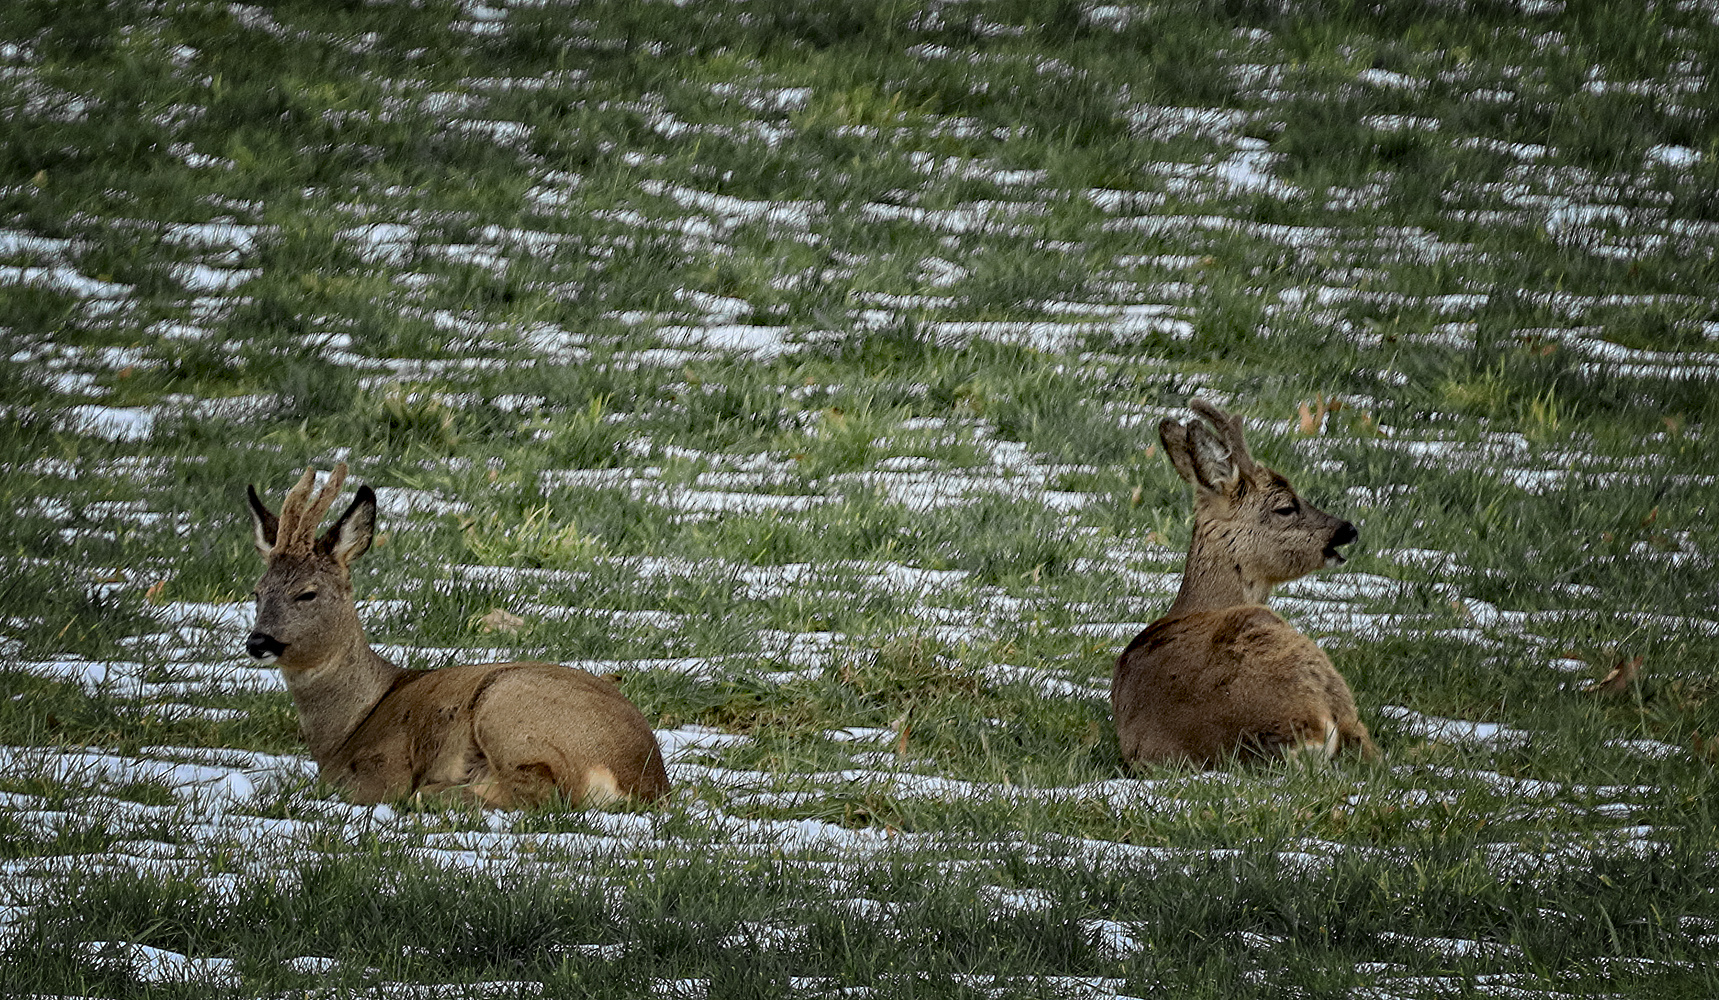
x: 503, y: 735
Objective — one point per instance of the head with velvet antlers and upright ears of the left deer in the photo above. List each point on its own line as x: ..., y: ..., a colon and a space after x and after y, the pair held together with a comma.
x: 305, y: 613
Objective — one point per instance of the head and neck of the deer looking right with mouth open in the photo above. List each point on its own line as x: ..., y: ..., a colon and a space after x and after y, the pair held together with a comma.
x: 1251, y: 527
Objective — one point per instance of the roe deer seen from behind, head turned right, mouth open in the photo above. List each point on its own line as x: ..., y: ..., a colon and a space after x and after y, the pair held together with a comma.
x: 1221, y: 674
